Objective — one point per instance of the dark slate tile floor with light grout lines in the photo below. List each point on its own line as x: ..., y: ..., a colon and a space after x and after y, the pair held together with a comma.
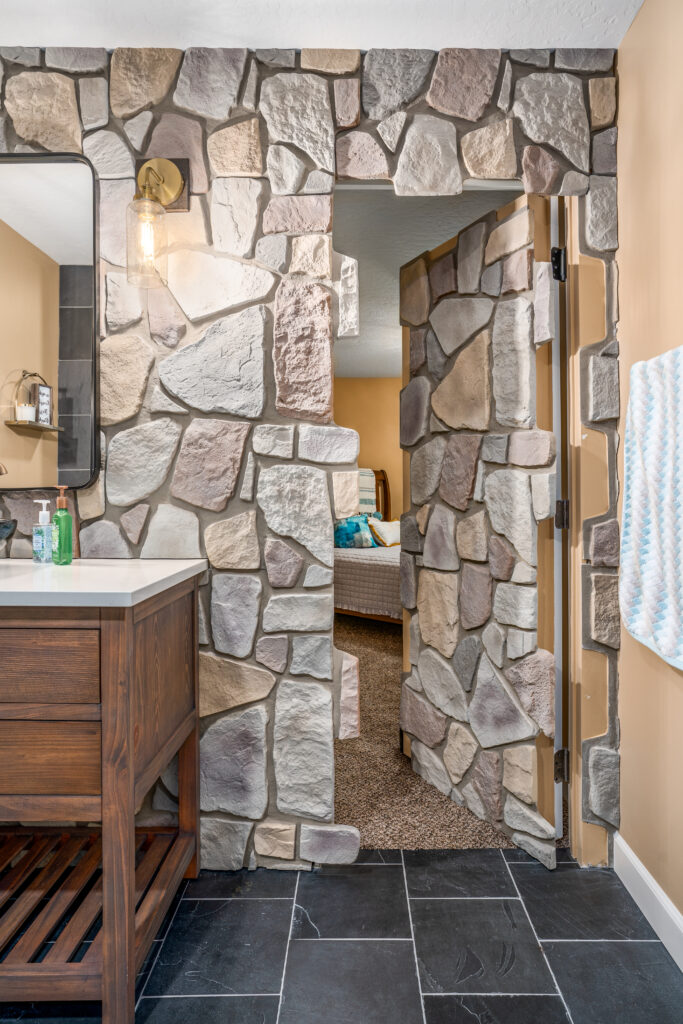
x: 426, y: 937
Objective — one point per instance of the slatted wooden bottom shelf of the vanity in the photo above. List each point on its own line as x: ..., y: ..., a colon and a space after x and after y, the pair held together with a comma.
x: 52, y: 907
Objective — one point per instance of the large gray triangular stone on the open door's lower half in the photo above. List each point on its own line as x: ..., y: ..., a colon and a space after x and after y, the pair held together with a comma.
x: 496, y: 716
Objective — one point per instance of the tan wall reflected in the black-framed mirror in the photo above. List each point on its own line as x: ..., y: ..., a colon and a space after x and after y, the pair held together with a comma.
x: 29, y: 340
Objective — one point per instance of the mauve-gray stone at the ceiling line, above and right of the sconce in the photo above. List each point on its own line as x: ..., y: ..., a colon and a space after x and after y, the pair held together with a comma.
x: 209, y: 81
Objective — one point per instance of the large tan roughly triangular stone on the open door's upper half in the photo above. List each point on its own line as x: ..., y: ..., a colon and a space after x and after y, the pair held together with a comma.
x: 463, y: 398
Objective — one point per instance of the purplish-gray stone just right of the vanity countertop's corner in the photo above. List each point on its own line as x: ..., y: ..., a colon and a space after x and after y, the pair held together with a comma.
x: 236, y: 601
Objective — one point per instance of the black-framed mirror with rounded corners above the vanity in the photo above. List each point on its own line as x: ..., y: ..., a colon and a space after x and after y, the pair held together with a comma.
x: 49, y: 318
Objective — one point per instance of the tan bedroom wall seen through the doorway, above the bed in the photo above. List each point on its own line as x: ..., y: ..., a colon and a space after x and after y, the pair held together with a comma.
x: 370, y: 405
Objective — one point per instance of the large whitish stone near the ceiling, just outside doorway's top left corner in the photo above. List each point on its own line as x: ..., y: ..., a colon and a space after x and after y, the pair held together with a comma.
x: 296, y: 109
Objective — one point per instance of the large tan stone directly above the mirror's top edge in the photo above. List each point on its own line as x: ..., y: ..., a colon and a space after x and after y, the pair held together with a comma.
x: 44, y: 109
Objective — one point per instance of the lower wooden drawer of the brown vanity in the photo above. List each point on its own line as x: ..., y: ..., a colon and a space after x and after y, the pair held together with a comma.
x: 51, y: 758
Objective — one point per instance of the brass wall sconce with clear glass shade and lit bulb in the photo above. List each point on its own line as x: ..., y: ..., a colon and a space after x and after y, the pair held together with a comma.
x: 162, y: 186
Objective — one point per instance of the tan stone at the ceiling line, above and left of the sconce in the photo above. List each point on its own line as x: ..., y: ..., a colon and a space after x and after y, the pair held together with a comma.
x: 141, y: 77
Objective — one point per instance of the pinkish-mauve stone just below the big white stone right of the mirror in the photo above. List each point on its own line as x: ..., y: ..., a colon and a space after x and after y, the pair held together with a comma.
x: 208, y: 465
